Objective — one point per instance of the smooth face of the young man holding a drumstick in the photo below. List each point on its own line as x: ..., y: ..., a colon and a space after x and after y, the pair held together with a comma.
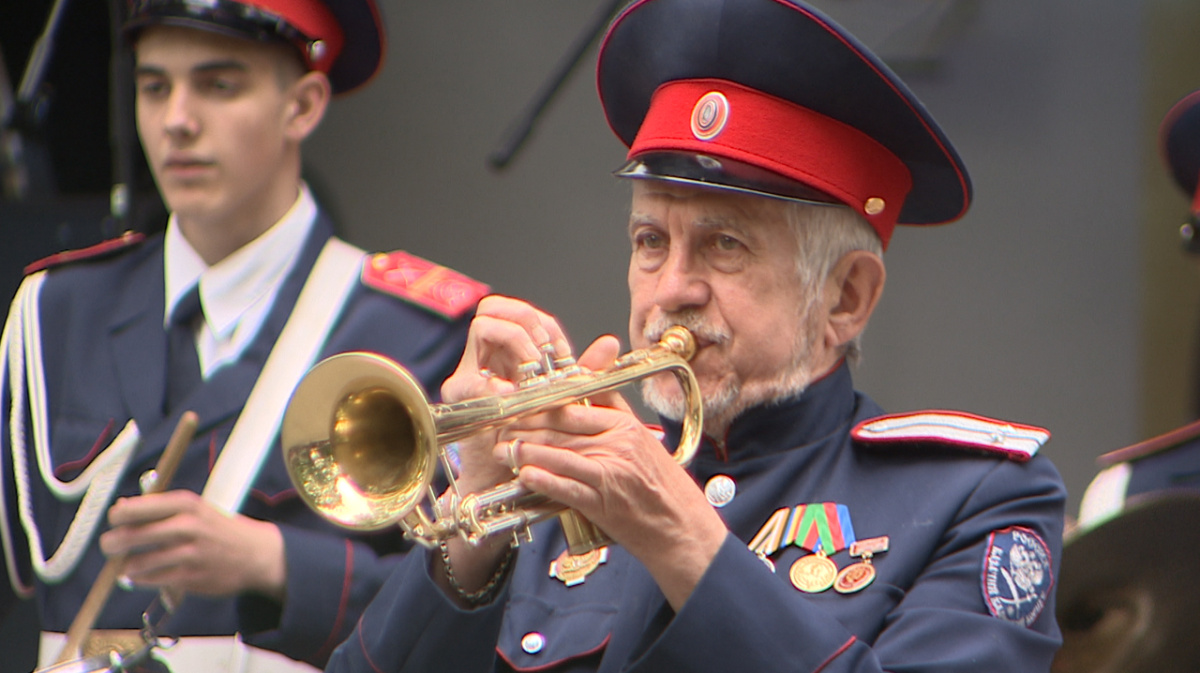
x: 212, y: 115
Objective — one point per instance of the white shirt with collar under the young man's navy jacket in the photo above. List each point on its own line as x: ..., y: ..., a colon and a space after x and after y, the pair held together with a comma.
x: 238, y: 292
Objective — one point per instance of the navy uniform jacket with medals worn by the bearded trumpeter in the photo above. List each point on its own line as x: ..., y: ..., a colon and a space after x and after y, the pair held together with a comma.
x: 941, y: 507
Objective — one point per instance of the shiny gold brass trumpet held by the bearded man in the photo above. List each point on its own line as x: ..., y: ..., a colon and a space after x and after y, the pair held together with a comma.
x: 362, y: 442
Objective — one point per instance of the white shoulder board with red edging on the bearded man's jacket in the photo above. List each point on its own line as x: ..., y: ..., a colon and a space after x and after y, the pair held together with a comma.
x: 955, y: 429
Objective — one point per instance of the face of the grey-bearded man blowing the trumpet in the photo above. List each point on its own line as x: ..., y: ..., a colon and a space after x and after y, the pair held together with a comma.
x: 724, y: 266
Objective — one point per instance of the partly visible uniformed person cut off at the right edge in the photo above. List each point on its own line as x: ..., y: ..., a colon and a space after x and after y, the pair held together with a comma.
x: 1130, y: 582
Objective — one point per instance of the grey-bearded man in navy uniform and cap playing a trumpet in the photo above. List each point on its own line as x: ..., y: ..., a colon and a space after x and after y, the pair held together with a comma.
x: 771, y: 157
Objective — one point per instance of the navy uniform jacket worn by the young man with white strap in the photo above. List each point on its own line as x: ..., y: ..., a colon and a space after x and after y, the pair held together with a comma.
x: 105, y: 357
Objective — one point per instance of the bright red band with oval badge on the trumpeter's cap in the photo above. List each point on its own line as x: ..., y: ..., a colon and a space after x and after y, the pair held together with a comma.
x: 729, y: 121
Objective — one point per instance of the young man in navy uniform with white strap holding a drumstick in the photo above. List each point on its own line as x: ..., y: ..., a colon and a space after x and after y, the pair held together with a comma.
x: 107, y: 348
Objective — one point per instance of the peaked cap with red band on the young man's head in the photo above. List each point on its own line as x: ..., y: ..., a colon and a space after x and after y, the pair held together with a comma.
x: 344, y: 39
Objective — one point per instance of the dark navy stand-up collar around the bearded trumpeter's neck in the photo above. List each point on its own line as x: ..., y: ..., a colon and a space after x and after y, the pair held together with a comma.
x: 826, y: 406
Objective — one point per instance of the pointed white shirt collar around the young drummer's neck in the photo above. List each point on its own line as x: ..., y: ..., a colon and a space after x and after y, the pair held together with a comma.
x: 238, y: 283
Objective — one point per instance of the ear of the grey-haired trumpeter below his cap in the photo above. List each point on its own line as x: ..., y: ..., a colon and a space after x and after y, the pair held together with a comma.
x: 853, y: 291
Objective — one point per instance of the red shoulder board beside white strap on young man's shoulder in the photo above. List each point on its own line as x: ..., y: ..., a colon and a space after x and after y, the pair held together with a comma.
x: 435, y: 287
